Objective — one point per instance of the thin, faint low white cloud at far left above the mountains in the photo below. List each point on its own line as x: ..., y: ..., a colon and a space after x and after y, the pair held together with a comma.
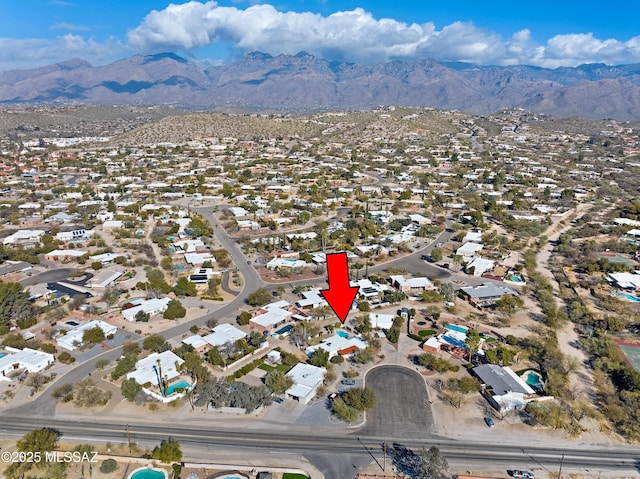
x: 33, y: 52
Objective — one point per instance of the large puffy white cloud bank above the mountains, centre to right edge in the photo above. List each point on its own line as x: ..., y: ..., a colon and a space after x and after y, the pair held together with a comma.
x: 357, y: 36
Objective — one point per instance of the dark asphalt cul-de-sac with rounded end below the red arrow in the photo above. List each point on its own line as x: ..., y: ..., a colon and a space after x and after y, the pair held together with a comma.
x: 402, y: 409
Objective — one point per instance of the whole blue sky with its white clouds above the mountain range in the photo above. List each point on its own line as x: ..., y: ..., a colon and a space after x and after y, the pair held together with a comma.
x: 543, y: 33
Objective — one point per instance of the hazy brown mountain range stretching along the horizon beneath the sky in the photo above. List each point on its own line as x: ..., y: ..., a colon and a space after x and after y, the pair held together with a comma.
x: 302, y: 82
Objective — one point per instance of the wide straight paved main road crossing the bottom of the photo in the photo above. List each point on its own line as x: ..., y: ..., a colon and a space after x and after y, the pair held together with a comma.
x: 337, y: 456
